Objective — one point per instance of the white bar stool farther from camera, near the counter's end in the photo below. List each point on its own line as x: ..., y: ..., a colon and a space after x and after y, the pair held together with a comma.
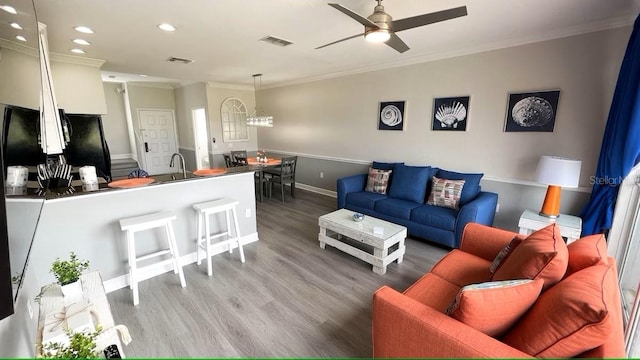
x: 205, y: 210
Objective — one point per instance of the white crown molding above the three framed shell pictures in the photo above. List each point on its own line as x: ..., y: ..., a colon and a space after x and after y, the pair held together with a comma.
x: 503, y: 44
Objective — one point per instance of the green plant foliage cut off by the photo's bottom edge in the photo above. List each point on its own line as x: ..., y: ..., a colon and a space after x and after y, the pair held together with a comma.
x: 81, y: 345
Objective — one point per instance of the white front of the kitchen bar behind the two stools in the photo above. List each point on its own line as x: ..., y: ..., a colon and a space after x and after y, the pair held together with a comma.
x: 87, y: 223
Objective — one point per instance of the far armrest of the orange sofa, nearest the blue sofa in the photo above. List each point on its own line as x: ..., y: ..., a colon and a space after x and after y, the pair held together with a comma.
x: 485, y: 241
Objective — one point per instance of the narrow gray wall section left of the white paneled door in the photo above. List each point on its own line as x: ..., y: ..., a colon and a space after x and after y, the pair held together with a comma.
x: 115, y: 121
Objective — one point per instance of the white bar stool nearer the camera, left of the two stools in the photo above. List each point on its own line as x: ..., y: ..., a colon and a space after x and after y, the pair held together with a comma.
x: 147, y: 222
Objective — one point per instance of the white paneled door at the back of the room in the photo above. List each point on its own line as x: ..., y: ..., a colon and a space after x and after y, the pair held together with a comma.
x: 159, y: 140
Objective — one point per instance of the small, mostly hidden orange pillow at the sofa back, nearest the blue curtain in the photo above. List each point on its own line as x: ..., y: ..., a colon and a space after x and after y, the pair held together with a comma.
x: 587, y: 251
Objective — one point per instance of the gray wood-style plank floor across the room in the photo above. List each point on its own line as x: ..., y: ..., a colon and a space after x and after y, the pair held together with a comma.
x: 289, y: 299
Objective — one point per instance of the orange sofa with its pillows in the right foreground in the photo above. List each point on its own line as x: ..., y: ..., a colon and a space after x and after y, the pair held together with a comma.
x: 567, y: 306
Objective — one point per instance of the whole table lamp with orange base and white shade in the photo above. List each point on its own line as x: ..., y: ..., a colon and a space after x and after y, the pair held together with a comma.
x: 557, y: 172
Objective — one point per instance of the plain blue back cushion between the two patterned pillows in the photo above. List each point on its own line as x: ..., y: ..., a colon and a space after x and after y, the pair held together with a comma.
x: 410, y: 182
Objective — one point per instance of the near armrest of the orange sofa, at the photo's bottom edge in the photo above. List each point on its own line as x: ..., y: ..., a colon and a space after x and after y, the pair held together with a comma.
x: 406, y: 328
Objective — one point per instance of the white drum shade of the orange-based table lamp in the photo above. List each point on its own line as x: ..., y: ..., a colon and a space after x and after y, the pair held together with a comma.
x: 558, y: 171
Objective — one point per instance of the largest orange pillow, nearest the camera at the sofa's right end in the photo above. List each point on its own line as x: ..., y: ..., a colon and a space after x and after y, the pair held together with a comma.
x: 571, y: 317
